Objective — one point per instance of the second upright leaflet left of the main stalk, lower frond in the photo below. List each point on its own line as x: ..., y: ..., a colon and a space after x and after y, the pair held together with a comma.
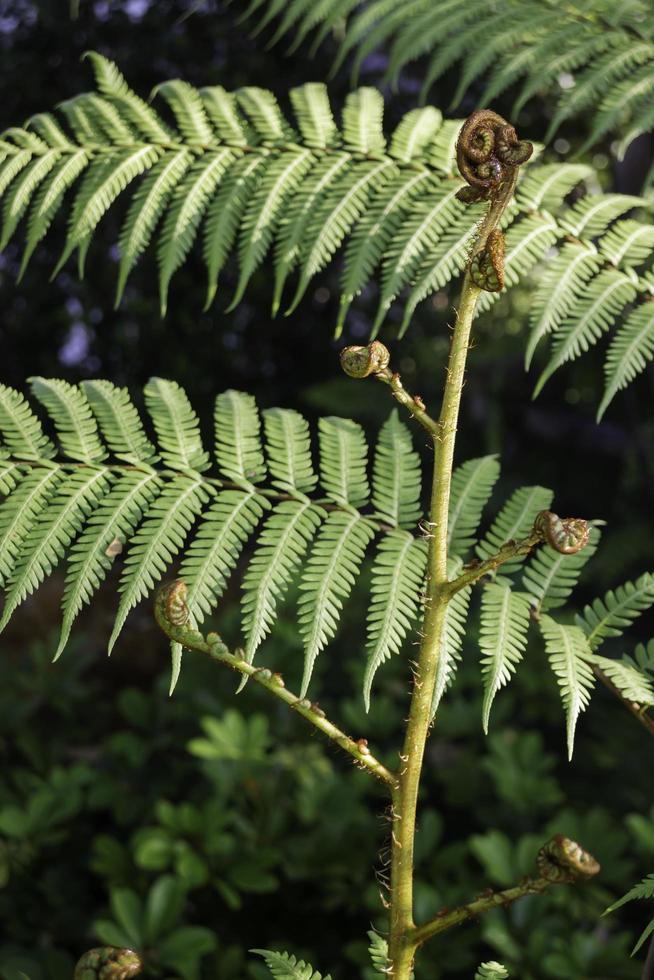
x: 343, y: 455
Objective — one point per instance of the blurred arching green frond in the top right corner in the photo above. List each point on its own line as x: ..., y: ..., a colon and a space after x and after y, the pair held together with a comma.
x: 511, y: 44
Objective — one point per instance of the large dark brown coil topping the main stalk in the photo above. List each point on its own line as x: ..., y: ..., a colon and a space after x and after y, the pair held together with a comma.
x: 487, y: 152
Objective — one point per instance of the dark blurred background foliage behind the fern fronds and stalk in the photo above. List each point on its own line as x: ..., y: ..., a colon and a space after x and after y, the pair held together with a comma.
x: 259, y: 833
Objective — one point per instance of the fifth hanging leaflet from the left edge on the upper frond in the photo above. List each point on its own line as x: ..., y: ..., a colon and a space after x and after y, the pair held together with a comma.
x: 148, y: 206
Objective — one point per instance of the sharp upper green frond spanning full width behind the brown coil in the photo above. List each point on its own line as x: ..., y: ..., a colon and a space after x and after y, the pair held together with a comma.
x: 232, y: 172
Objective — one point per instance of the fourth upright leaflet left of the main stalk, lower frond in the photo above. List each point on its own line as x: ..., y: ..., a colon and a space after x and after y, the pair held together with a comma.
x: 237, y: 430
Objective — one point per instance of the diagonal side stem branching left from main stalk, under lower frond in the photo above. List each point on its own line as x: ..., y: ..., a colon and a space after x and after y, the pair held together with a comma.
x: 213, y: 646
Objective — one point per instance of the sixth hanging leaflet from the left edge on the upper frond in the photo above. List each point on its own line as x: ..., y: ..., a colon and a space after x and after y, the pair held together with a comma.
x: 189, y: 202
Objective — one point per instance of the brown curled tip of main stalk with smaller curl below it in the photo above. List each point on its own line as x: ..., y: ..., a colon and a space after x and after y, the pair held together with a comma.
x: 488, y: 154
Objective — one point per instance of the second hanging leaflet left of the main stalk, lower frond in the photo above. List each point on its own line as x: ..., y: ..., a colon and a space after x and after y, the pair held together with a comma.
x: 327, y: 580
